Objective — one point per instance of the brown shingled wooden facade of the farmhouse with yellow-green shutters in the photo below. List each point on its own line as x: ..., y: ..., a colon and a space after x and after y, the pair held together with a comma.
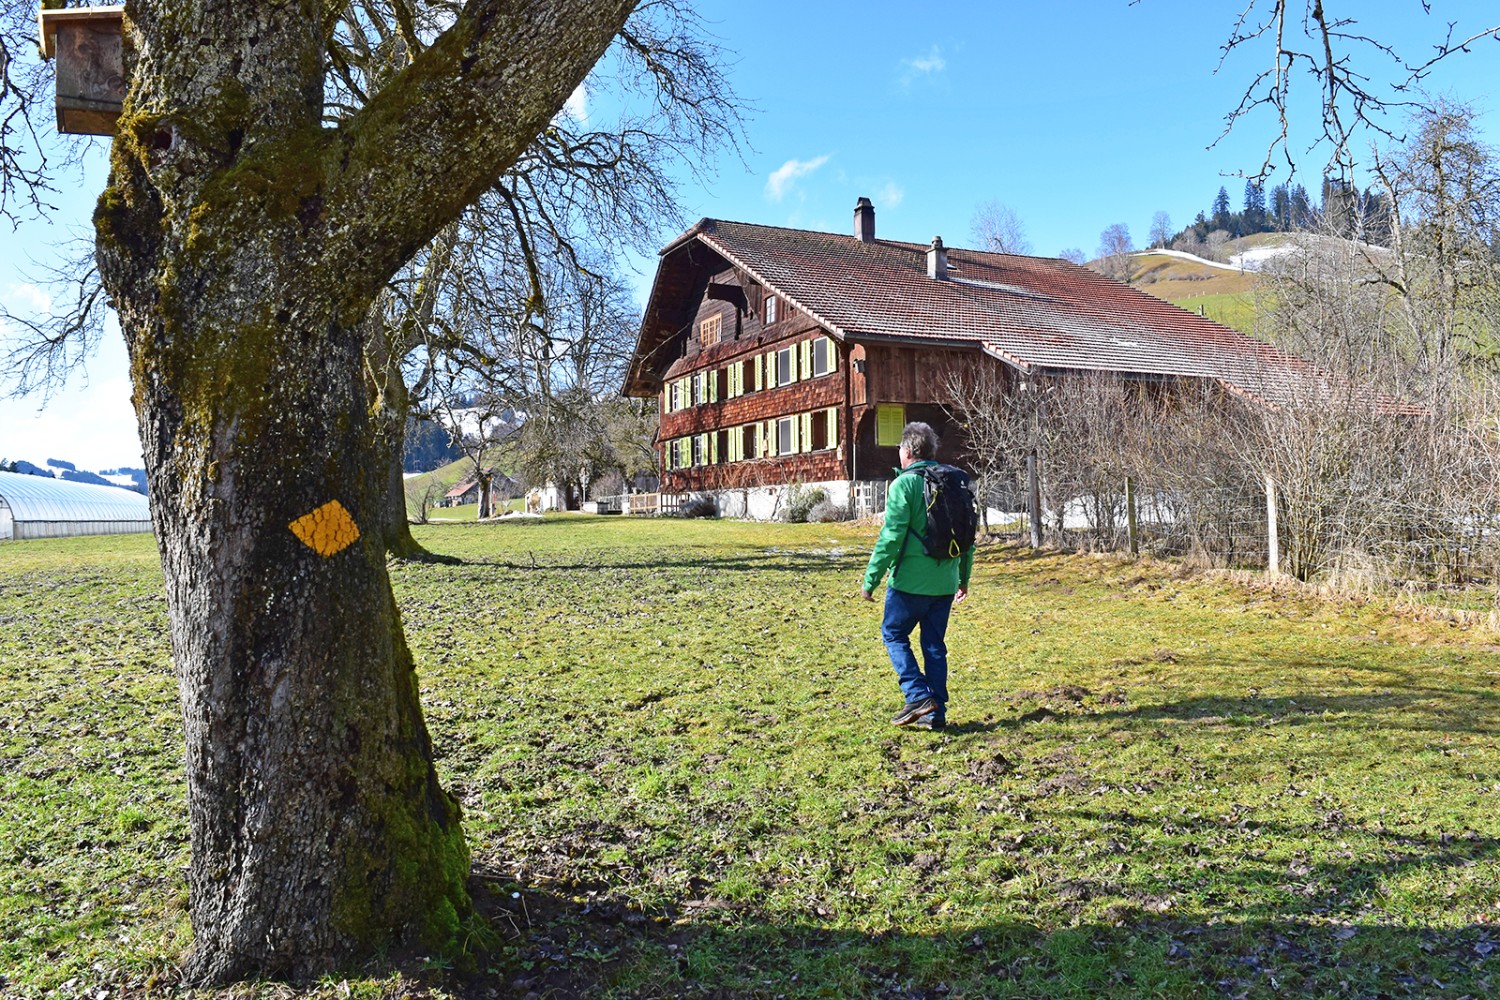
x: 763, y: 395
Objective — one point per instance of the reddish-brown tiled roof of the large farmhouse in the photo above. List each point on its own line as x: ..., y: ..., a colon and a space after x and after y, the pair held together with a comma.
x: 1033, y: 313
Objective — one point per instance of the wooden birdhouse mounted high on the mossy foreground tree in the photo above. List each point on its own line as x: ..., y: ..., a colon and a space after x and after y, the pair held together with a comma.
x: 91, y: 67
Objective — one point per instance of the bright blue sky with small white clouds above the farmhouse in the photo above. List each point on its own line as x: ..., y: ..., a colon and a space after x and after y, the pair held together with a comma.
x: 1076, y: 116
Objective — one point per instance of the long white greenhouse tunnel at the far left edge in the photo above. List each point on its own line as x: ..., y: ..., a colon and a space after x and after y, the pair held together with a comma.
x: 43, y: 507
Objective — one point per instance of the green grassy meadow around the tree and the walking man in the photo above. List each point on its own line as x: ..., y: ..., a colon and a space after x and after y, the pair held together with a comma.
x: 673, y: 746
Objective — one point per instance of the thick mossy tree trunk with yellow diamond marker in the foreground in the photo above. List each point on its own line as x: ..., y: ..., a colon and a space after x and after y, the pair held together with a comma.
x: 242, y: 245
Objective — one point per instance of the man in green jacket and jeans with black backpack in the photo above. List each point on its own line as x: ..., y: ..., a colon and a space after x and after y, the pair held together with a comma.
x: 922, y: 509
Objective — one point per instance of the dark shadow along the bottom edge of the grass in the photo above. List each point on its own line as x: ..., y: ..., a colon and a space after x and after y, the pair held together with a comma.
x: 578, y: 945
